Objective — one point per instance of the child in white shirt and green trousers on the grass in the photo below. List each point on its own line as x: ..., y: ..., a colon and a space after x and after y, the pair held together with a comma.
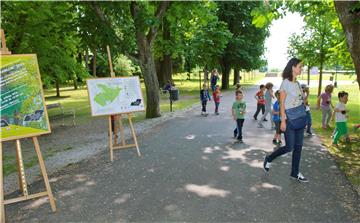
x: 341, y: 117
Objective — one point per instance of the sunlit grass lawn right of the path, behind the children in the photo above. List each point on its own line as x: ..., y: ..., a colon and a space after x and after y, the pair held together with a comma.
x: 346, y: 154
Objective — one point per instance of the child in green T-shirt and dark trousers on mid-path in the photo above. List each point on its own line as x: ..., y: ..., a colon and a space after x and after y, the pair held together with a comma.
x: 238, y: 113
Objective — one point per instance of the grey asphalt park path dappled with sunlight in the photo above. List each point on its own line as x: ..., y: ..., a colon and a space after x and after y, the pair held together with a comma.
x: 192, y: 170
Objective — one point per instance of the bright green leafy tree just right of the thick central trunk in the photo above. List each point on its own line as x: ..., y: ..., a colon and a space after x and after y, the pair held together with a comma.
x: 190, y: 32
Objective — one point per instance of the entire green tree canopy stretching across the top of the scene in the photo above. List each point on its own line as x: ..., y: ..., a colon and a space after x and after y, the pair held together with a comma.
x: 152, y: 38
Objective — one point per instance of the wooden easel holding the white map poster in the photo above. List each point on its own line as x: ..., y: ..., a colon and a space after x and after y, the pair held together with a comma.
x: 113, y: 143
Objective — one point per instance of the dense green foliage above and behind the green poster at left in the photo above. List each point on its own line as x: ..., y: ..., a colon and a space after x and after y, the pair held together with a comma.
x: 44, y: 28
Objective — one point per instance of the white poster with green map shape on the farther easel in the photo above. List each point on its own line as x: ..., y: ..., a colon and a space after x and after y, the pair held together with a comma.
x: 110, y: 96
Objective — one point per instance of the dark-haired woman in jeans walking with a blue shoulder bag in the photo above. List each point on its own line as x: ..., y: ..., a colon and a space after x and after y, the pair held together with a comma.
x: 293, y: 119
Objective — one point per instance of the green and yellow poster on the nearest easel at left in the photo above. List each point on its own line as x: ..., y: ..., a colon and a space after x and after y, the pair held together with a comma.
x: 23, y: 111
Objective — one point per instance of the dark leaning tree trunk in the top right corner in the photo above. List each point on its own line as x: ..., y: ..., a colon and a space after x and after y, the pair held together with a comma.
x: 350, y: 21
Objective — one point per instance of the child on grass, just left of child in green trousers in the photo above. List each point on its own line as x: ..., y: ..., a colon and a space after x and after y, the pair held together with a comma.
x: 325, y: 99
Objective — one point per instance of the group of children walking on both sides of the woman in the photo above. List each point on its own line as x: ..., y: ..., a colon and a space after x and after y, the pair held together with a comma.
x: 264, y: 103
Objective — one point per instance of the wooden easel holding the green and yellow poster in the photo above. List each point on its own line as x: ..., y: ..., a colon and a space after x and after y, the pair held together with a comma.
x: 20, y: 164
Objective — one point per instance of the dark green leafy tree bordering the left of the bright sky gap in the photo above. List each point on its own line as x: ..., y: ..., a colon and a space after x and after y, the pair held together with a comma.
x: 246, y: 47
